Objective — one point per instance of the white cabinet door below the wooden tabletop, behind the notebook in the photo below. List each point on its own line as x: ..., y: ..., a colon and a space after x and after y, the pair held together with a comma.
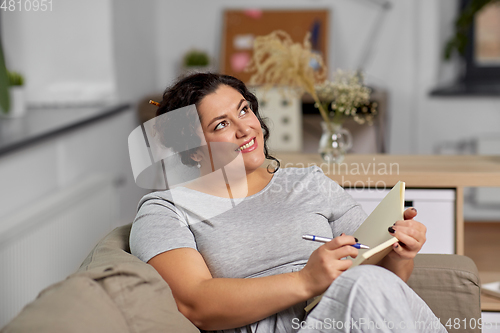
x: 435, y: 207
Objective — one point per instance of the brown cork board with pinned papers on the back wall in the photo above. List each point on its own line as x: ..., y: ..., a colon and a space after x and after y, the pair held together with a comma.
x: 242, y: 26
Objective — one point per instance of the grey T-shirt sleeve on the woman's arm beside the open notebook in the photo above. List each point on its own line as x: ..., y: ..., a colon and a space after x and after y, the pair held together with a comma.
x: 345, y: 214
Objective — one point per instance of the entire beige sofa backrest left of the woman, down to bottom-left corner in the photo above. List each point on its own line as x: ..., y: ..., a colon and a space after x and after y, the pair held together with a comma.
x: 113, y: 291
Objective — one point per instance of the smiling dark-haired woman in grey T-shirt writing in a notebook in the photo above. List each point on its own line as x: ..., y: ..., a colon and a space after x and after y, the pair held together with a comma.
x: 244, y: 267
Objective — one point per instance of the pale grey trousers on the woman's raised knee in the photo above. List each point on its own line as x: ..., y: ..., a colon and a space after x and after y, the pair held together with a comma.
x: 370, y: 299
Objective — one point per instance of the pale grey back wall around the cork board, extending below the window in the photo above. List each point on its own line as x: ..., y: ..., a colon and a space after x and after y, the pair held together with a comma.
x: 407, y: 60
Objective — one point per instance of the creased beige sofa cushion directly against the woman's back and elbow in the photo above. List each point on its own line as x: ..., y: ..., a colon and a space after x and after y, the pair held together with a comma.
x: 140, y: 293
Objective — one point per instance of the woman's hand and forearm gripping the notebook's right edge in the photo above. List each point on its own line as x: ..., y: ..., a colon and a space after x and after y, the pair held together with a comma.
x: 411, y: 235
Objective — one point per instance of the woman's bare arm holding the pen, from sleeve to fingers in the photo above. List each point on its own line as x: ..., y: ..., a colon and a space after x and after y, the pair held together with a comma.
x: 222, y: 303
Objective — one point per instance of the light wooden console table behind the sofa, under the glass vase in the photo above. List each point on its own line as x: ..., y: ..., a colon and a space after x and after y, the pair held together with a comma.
x: 417, y: 171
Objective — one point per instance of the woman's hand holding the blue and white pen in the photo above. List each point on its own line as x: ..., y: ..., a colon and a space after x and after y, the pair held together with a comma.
x: 325, y: 264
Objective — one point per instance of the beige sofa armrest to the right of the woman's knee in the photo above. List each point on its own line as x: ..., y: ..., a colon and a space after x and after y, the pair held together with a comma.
x: 449, y: 284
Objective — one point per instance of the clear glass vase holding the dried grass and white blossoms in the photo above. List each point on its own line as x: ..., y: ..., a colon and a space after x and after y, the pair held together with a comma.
x: 334, y: 143
